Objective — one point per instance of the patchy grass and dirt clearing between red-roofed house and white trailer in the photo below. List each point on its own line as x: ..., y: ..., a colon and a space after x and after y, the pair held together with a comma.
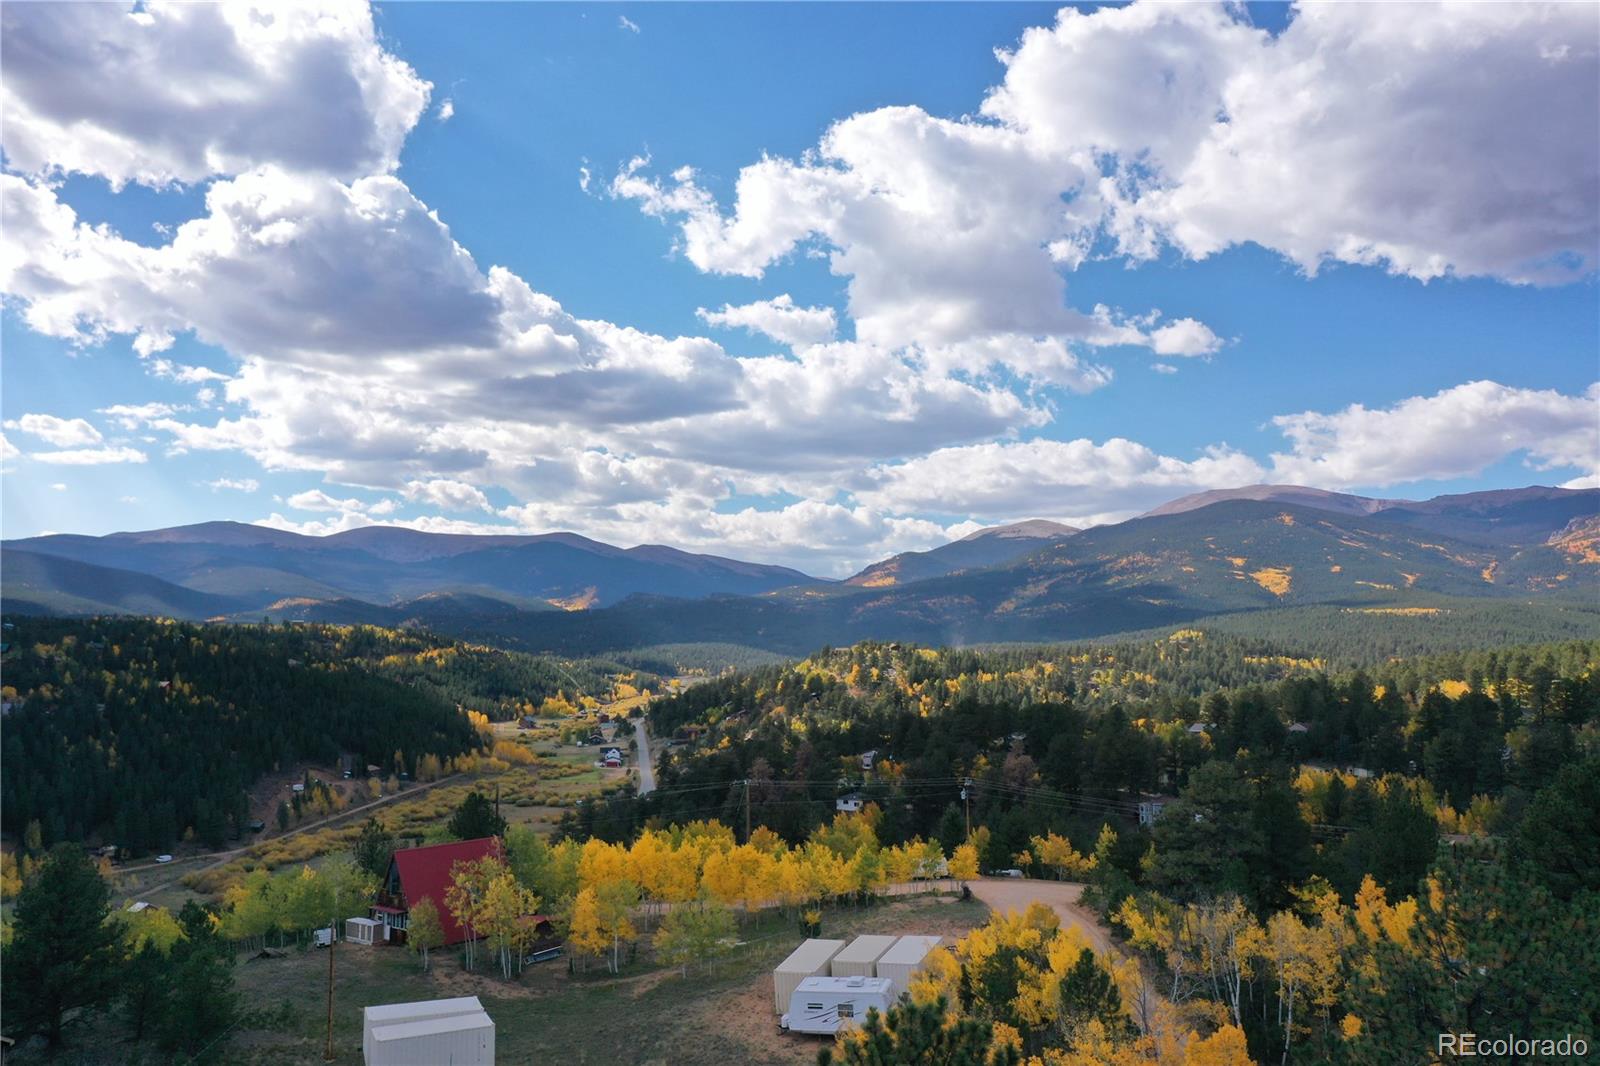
x: 644, y: 1017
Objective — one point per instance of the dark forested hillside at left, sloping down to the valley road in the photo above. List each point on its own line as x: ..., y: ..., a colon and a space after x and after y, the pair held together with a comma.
x: 135, y: 732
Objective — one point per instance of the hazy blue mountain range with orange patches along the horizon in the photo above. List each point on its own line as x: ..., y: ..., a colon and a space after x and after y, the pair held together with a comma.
x: 1247, y: 550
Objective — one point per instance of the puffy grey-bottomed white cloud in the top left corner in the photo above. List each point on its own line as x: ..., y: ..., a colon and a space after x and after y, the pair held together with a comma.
x: 183, y: 92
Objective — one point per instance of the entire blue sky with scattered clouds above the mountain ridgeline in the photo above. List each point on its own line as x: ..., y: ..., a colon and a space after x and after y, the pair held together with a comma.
x: 798, y: 284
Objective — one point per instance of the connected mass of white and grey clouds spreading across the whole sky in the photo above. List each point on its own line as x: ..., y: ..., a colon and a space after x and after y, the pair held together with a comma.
x: 374, y: 350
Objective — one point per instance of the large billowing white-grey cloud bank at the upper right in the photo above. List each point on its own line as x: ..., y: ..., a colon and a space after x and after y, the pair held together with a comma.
x: 1423, y: 138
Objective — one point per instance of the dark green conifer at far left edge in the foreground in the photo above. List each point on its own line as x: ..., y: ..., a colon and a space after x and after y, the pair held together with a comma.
x: 65, y: 955
